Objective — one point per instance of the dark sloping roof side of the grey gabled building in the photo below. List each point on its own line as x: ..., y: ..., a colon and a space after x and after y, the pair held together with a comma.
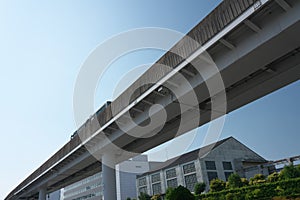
x: 187, y: 157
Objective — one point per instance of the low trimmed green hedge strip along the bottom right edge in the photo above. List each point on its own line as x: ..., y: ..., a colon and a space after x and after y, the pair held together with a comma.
x: 286, y: 188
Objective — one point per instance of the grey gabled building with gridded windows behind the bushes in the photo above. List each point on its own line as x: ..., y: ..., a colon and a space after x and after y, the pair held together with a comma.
x: 217, y: 160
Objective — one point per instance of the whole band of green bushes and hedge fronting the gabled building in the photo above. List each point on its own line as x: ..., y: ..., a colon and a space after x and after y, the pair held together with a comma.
x: 277, y: 186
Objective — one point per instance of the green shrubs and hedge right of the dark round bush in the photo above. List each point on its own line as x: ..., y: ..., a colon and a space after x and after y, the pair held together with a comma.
x: 283, y: 184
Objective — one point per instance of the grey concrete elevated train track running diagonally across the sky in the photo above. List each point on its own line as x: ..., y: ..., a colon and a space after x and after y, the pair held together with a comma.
x: 254, y: 44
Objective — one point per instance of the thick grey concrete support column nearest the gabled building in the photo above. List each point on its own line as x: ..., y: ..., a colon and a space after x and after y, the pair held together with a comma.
x: 109, y: 177
